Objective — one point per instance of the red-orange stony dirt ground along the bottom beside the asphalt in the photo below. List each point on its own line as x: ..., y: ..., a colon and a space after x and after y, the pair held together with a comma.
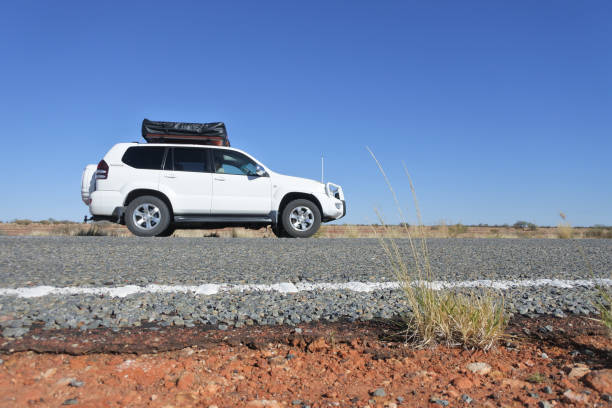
x: 325, y: 365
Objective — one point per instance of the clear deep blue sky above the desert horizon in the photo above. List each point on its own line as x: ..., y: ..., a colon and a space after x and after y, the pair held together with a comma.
x: 501, y: 110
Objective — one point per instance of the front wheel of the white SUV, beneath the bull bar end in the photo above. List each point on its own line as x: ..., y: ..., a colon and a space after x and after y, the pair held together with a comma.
x: 301, y: 218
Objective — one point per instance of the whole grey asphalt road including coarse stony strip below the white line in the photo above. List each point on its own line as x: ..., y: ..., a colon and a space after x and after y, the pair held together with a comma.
x: 111, y: 263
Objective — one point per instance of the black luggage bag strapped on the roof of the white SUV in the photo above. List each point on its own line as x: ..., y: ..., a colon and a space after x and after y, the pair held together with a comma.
x: 179, y: 132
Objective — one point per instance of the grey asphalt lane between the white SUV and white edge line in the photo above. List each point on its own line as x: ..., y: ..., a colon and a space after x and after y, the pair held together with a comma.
x: 95, y: 261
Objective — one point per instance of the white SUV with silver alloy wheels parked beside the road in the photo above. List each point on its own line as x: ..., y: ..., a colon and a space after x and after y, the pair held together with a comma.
x: 156, y: 188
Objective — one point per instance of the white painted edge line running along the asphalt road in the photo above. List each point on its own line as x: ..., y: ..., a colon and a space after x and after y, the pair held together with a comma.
x: 288, y: 287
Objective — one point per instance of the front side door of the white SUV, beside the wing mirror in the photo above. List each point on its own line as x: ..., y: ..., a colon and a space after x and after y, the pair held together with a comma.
x: 237, y: 189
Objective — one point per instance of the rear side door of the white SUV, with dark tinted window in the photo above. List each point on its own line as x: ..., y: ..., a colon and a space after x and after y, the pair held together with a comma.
x: 188, y: 179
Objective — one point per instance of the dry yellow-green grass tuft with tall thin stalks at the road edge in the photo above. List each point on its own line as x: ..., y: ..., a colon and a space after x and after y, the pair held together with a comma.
x: 474, y: 318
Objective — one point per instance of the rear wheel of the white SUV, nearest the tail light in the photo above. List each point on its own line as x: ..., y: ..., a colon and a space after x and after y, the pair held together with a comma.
x: 147, y: 216
